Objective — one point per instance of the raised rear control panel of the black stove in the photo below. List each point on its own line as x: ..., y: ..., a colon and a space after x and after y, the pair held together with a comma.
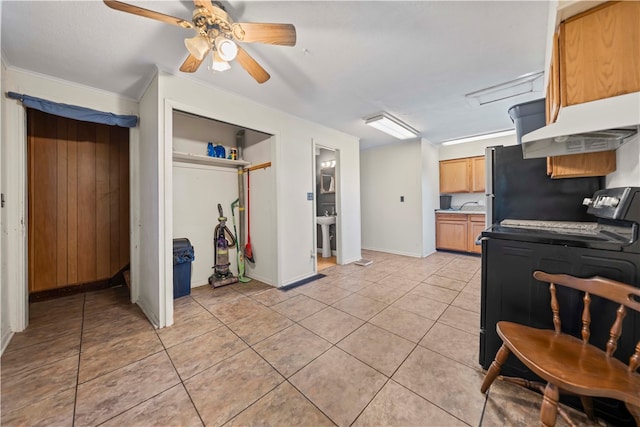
x: 614, y: 203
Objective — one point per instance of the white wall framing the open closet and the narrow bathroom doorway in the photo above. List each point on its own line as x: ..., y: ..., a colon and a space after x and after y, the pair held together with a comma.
x: 292, y: 167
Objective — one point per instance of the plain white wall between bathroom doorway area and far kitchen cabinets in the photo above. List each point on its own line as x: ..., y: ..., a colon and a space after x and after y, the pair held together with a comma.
x: 387, y: 173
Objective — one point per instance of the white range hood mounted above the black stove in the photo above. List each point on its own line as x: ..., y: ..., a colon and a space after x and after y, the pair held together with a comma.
x: 600, y: 125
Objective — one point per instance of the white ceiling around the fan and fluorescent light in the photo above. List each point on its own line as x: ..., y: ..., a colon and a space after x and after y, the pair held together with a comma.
x: 415, y: 60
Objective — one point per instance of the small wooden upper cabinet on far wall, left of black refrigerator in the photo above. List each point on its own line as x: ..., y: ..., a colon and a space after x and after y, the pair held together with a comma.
x: 464, y: 175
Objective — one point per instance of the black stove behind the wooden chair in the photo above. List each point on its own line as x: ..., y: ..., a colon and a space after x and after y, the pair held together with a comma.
x: 608, y: 246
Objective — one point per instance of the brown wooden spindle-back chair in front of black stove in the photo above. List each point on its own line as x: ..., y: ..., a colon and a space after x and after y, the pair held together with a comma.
x: 567, y: 363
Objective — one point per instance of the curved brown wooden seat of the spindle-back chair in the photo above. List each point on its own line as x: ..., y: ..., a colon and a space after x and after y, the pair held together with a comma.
x: 573, y: 366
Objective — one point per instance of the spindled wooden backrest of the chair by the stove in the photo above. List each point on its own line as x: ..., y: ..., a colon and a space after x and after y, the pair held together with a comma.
x: 625, y: 295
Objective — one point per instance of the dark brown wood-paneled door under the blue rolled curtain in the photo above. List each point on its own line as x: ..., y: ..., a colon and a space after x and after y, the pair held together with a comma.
x: 78, y: 185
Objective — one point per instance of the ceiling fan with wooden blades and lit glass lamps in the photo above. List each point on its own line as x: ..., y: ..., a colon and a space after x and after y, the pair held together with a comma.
x: 216, y: 32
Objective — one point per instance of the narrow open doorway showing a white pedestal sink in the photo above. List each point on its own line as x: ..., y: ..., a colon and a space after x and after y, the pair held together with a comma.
x: 327, y: 215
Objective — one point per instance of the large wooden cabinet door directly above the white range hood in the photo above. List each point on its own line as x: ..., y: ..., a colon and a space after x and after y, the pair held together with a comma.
x: 599, y: 53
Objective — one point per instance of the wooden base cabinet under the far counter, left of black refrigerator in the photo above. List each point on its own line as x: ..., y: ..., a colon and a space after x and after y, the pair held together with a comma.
x: 458, y: 232
